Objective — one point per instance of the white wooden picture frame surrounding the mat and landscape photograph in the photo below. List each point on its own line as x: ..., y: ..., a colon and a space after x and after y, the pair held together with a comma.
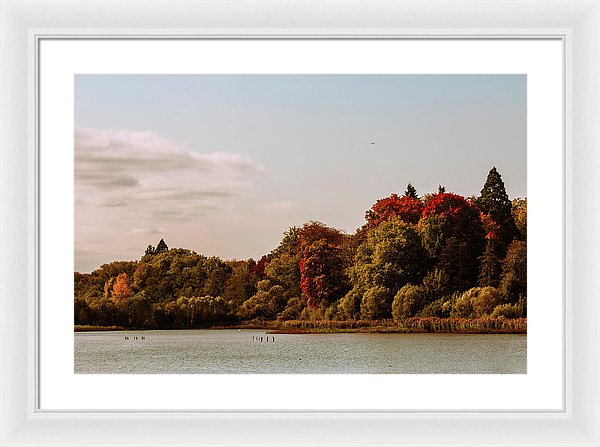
x: 25, y: 22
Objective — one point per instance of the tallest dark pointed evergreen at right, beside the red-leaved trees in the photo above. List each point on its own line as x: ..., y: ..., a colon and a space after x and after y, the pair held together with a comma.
x: 494, y: 201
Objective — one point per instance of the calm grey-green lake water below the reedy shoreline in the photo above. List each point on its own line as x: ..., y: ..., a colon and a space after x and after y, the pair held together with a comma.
x: 235, y: 352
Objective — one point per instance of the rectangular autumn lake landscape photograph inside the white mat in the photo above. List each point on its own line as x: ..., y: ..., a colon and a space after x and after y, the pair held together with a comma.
x: 300, y: 223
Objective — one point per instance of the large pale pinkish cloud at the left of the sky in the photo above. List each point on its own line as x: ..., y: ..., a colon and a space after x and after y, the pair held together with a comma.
x: 117, y: 168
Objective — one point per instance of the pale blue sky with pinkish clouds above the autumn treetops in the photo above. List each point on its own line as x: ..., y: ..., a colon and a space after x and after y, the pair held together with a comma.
x: 224, y: 164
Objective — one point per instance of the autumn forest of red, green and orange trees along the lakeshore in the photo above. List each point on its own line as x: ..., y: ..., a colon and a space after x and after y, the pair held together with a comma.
x: 439, y: 260
